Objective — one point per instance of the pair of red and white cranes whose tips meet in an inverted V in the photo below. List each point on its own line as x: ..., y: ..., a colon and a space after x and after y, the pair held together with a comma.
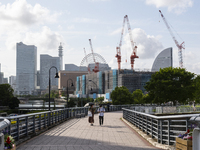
x: 133, y: 55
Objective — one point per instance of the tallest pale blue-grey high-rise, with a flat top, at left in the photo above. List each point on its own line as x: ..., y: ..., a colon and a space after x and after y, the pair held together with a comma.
x: 26, y: 69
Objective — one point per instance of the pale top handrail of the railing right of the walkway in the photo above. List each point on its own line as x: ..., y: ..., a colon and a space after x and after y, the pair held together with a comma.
x: 162, y: 117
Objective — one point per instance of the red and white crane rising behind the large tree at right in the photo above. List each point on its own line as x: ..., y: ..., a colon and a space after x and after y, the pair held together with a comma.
x: 180, y: 46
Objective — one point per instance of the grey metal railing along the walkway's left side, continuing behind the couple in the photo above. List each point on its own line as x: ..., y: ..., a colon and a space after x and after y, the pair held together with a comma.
x: 23, y: 126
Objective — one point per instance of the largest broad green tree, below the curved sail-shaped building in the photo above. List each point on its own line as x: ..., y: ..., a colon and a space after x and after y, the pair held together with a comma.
x: 171, y: 84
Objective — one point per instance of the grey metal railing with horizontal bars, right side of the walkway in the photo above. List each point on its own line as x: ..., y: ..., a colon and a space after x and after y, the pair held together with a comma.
x: 163, y: 128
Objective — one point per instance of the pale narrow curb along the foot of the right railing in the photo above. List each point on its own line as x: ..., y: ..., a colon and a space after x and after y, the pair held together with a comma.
x: 147, y: 137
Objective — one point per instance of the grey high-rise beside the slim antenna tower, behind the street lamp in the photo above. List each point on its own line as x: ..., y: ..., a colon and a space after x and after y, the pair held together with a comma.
x: 46, y: 62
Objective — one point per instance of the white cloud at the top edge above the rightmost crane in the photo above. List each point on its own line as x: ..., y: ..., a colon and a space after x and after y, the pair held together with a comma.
x: 178, y: 6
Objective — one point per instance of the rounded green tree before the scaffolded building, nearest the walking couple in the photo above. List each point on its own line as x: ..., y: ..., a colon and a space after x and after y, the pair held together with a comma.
x: 121, y: 95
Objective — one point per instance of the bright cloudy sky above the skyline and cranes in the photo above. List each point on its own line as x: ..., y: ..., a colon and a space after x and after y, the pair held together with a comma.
x: 47, y: 23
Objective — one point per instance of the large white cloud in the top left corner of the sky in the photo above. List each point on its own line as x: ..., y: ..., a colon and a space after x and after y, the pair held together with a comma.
x: 20, y: 15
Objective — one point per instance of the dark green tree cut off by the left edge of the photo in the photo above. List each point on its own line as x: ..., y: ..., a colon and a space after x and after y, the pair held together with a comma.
x: 6, y: 93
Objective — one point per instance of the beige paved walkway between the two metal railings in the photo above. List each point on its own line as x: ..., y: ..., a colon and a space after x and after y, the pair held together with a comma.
x: 77, y: 134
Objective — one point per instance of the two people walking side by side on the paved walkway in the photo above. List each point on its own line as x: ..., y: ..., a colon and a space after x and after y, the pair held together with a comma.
x: 91, y: 111
